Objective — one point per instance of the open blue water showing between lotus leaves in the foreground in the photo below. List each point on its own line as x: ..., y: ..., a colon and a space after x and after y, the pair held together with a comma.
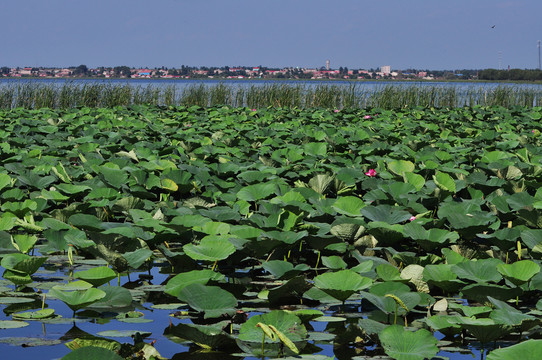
x: 59, y: 333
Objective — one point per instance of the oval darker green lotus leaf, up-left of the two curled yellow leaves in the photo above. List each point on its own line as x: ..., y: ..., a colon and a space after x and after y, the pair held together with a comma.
x: 212, y: 300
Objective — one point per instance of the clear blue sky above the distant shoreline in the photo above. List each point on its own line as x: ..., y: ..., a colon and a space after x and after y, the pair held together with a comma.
x: 419, y: 34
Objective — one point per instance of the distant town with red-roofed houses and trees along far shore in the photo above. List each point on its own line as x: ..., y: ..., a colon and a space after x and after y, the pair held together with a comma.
x: 238, y: 72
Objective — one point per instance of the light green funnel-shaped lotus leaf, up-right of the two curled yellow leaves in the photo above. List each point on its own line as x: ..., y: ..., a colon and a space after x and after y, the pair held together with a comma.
x: 341, y: 284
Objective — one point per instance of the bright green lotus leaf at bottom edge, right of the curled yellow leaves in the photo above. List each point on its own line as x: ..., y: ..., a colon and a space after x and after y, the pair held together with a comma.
x: 402, y: 344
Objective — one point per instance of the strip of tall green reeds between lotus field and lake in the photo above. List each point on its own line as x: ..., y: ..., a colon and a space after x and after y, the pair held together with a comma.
x: 34, y: 95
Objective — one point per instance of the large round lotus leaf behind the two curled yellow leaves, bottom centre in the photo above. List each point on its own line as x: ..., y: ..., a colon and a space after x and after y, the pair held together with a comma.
x: 251, y: 335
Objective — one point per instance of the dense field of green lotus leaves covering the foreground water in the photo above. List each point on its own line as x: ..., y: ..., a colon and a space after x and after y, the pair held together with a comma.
x: 280, y: 231
